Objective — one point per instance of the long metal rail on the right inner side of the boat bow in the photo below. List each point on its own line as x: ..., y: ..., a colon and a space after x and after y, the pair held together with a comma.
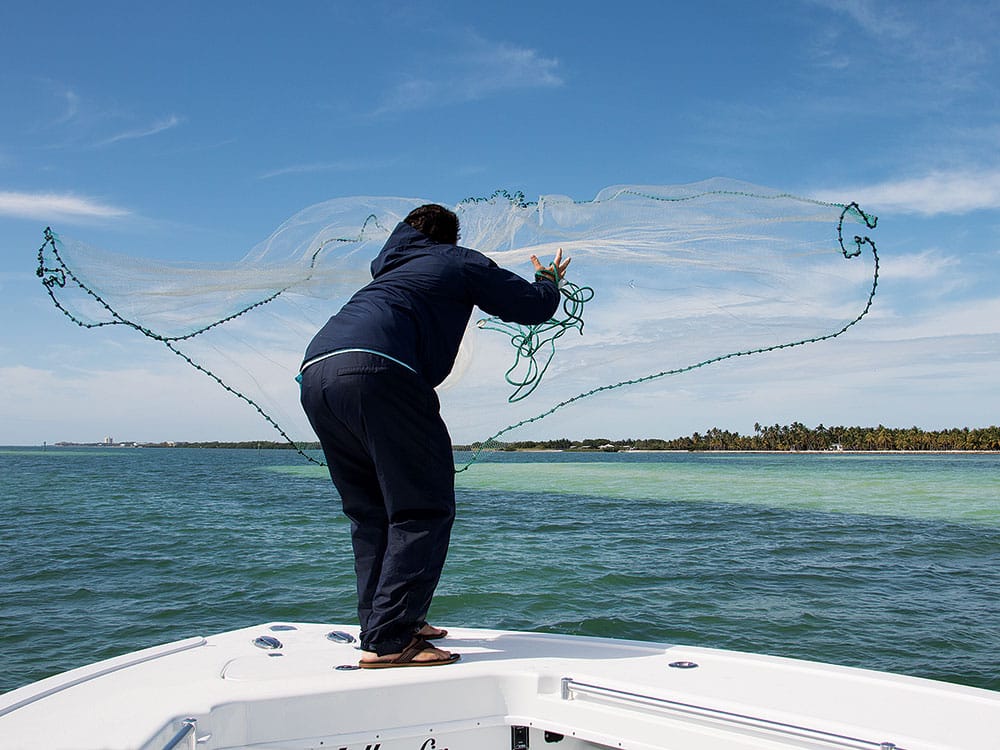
x: 572, y: 688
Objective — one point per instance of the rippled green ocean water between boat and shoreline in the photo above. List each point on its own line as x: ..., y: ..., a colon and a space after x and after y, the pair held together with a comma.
x: 889, y: 562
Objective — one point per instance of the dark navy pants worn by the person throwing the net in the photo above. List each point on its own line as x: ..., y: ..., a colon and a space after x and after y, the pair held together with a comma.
x: 389, y: 455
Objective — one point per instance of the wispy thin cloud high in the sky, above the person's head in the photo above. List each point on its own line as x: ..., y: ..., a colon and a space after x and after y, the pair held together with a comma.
x: 478, y: 69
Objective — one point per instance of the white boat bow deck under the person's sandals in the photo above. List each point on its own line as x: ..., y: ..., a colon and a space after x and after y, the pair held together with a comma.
x: 296, y: 687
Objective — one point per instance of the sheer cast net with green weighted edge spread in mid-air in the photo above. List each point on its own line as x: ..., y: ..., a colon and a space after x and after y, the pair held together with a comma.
x: 665, y: 281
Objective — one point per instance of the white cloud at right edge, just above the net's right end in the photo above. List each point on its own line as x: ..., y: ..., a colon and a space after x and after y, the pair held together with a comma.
x: 956, y: 192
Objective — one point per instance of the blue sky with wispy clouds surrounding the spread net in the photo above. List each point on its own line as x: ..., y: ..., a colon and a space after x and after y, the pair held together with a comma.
x: 192, y: 130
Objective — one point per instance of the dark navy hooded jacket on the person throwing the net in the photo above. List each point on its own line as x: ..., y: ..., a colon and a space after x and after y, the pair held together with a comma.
x: 420, y: 300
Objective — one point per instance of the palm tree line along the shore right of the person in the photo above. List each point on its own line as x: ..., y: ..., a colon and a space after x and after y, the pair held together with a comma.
x: 793, y: 437
